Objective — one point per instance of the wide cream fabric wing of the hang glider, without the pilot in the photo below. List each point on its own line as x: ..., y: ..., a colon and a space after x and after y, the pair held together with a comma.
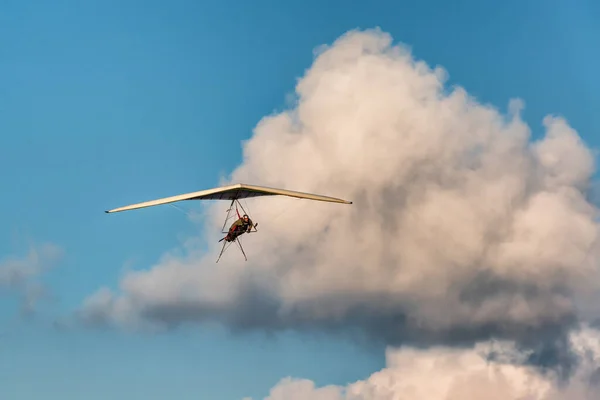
x: 232, y: 192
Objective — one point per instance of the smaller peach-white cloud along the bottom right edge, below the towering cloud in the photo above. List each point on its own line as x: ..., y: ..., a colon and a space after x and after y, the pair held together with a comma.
x: 442, y: 373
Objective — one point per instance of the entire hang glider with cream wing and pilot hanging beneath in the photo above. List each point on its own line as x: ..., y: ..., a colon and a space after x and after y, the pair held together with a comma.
x: 233, y: 193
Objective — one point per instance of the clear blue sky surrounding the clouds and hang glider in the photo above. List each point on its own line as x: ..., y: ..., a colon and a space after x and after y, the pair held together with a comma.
x: 107, y: 103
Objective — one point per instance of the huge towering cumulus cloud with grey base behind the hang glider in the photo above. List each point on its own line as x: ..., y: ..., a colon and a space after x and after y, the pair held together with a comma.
x: 462, y: 228
